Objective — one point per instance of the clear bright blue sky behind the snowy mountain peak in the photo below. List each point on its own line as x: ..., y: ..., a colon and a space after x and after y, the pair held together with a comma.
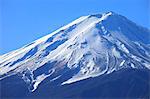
x: 23, y: 21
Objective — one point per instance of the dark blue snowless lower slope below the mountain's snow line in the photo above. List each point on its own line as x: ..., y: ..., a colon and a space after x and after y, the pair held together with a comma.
x: 126, y: 83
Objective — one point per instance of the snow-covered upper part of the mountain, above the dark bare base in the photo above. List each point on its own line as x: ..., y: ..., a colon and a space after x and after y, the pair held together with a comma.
x: 88, y: 47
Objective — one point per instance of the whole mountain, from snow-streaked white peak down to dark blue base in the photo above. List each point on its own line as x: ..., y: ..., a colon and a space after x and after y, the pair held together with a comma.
x: 86, y: 50
